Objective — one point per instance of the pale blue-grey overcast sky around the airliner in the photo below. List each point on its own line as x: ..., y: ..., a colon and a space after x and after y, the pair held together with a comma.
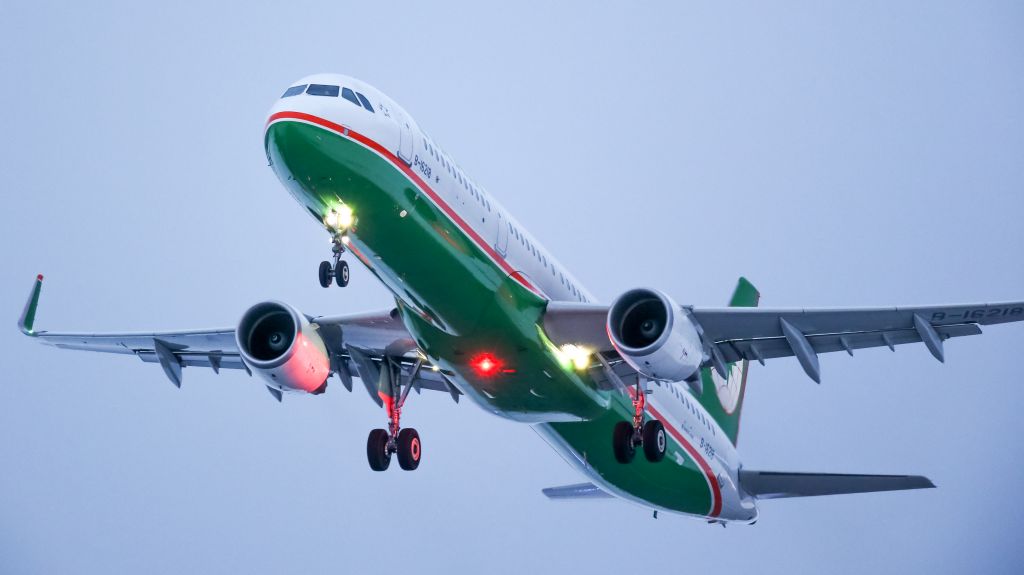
x: 837, y: 154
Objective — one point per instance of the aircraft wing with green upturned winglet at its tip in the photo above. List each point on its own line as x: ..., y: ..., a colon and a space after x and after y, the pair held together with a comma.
x: 358, y: 344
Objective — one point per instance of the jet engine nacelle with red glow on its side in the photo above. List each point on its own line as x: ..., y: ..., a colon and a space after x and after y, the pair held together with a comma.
x: 278, y: 343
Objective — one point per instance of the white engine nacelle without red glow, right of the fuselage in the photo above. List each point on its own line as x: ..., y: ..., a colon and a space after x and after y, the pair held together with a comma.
x: 654, y: 335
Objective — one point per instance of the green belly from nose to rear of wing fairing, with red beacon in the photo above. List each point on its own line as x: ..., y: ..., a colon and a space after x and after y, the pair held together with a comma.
x: 455, y: 299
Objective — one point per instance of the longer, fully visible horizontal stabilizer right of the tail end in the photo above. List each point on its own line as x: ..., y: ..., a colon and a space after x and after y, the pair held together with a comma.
x: 774, y: 485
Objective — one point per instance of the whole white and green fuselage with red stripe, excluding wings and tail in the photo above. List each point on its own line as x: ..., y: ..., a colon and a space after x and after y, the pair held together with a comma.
x: 471, y: 283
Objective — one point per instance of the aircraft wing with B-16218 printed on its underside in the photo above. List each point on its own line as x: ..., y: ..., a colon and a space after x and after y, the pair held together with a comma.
x: 760, y: 334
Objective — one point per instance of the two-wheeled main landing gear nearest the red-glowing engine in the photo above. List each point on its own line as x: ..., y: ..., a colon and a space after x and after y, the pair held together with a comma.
x: 405, y: 443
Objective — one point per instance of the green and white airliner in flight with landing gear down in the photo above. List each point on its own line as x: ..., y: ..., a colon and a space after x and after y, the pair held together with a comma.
x: 644, y: 397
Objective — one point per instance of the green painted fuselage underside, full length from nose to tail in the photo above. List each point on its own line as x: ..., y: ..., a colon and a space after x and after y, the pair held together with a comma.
x: 458, y: 300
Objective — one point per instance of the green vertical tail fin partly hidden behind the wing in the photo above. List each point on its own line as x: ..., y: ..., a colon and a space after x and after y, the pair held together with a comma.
x: 724, y: 399
